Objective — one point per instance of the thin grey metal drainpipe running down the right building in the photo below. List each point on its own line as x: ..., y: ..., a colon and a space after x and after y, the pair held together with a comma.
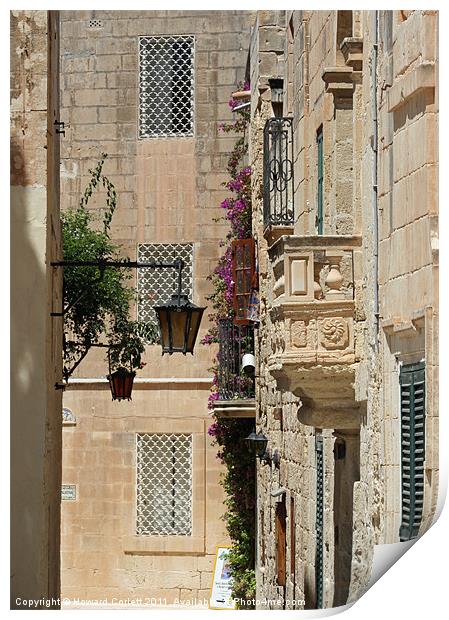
x: 375, y: 164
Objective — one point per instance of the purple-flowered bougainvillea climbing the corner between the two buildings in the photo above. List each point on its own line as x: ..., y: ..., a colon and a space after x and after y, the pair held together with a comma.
x: 238, y: 480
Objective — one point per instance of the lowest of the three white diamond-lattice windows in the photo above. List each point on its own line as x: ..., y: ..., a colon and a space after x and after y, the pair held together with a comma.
x: 164, y: 484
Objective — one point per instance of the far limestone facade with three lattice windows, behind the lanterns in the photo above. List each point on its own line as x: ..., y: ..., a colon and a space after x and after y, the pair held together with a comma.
x: 149, y: 89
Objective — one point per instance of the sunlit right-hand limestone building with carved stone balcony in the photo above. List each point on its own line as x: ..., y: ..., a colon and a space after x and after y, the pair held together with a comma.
x: 343, y: 150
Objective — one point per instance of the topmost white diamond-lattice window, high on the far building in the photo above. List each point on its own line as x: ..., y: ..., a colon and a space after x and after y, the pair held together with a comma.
x: 166, y: 86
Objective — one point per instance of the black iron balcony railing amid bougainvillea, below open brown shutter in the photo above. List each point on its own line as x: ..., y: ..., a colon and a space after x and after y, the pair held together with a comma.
x: 235, y: 341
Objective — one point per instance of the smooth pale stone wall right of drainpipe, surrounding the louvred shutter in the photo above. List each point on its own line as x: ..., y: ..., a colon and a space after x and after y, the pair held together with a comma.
x: 408, y: 233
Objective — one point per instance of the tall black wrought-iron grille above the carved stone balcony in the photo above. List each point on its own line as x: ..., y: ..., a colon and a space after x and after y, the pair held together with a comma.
x: 278, y: 172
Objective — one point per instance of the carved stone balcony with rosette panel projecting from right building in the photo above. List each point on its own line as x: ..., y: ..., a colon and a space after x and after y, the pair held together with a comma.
x: 312, y: 307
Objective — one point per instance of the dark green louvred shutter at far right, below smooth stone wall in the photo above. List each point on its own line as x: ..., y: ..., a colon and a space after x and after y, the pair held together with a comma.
x: 413, y: 387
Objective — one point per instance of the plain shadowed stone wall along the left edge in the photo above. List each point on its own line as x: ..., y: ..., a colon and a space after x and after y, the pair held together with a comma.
x: 36, y: 337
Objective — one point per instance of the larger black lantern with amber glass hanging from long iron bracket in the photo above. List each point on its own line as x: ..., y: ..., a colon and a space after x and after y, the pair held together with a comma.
x: 179, y: 322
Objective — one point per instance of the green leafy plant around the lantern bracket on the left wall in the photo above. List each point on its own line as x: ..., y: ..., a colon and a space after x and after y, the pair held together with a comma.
x: 98, y: 301
